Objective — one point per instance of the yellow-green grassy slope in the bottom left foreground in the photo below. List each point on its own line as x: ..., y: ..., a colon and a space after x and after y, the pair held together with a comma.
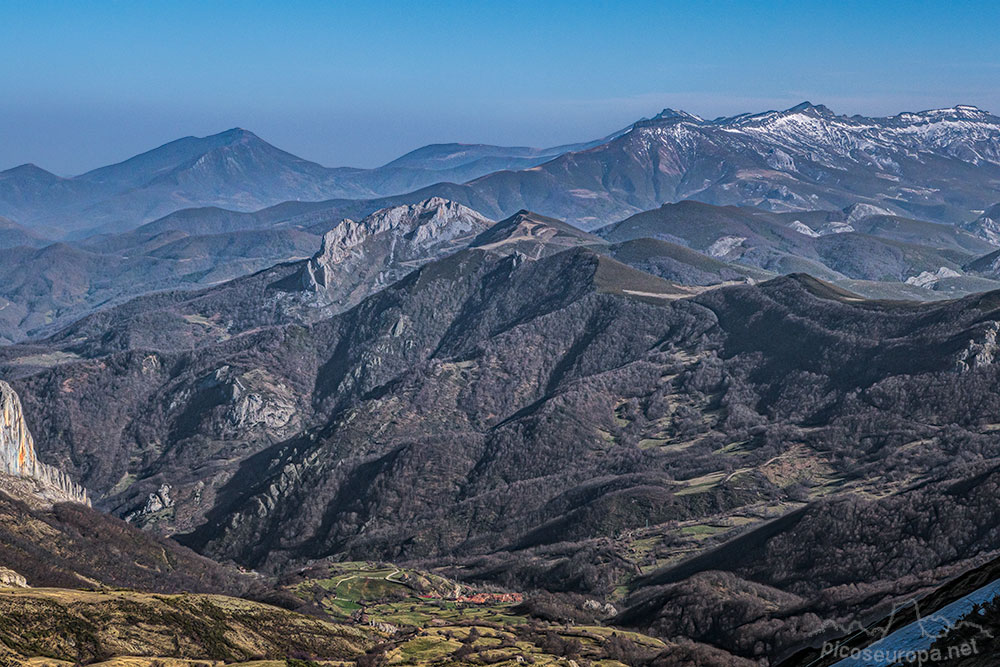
x: 88, y: 626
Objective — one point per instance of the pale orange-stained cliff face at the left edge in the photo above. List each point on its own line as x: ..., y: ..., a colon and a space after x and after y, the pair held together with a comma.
x: 17, y: 453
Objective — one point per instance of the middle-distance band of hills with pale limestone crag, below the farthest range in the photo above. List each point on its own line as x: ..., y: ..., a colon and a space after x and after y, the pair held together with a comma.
x: 863, y: 248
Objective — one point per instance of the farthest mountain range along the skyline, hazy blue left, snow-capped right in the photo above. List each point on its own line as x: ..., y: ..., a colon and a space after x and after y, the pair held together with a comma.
x: 802, y: 158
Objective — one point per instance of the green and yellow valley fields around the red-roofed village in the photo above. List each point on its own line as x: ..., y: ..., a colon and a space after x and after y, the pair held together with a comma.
x: 430, y: 624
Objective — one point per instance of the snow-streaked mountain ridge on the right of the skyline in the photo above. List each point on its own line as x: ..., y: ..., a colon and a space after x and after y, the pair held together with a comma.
x: 800, y: 159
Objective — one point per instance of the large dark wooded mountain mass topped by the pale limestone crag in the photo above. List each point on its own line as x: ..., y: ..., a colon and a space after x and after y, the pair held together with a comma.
x: 640, y: 435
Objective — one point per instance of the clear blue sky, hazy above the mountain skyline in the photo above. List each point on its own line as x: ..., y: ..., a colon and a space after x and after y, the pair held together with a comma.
x: 84, y: 84
